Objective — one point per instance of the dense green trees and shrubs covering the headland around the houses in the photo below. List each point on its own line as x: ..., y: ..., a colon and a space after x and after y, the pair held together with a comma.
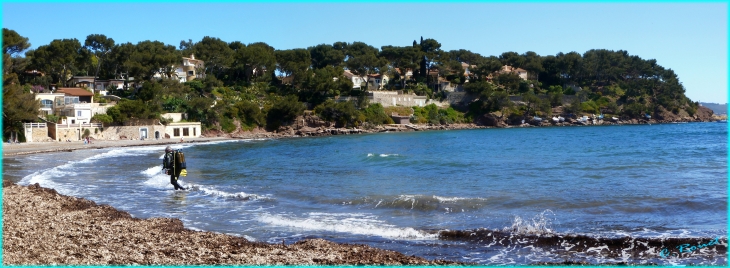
x: 255, y: 85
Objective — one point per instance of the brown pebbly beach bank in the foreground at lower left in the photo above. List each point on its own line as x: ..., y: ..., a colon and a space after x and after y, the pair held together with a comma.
x: 81, y: 232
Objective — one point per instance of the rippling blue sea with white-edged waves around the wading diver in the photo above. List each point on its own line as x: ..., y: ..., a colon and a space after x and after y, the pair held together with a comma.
x: 625, y: 194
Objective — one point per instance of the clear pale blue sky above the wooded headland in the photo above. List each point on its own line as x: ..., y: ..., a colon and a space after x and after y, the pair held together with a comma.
x: 690, y: 38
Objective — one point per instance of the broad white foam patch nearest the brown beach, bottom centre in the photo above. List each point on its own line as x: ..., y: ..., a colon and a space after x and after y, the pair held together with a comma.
x: 358, y: 224
